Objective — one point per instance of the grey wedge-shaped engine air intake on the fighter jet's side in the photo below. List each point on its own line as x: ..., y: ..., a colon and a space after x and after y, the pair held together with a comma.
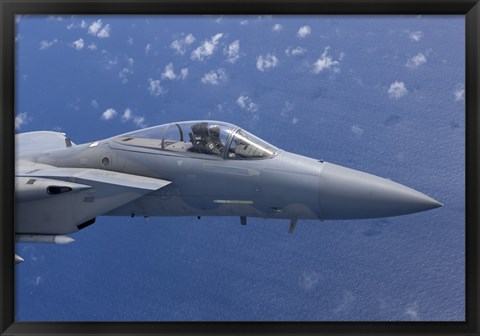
x: 53, y: 201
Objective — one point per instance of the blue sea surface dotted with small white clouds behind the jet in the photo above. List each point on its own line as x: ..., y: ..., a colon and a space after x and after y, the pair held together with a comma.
x: 380, y: 94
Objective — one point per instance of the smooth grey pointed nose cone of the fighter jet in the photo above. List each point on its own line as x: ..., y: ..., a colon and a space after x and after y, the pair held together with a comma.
x: 350, y: 194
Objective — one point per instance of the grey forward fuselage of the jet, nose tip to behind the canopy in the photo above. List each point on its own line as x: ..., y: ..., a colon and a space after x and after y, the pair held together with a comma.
x: 247, y: 177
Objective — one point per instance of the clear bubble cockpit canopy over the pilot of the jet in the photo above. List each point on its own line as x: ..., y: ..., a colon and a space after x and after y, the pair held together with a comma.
x: 206, y: 137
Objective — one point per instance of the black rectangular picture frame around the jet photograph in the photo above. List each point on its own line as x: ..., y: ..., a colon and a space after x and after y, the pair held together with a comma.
x: 10, y: 8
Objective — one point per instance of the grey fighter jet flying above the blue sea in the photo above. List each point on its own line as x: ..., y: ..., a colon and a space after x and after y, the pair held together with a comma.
x: 189, y: 168
